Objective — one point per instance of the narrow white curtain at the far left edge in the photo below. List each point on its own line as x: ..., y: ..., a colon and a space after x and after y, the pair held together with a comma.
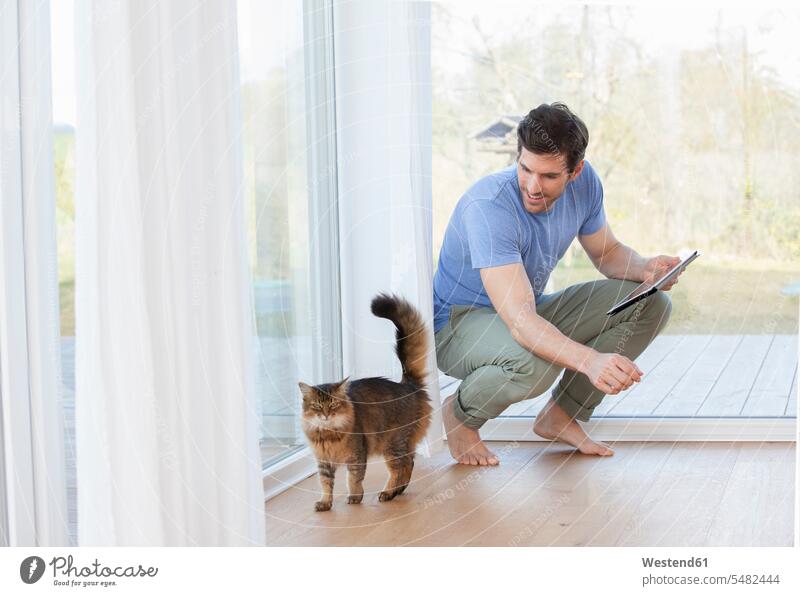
x: 32, y: 474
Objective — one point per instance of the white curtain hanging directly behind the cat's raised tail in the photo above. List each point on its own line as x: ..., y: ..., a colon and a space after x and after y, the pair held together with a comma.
x: 383, y: 114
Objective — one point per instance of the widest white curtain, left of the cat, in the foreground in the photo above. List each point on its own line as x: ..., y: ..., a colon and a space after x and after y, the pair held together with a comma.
x: 167, y: 437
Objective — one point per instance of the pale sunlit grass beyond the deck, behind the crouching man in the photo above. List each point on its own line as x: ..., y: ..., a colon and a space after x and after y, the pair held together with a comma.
x: 720, y: 299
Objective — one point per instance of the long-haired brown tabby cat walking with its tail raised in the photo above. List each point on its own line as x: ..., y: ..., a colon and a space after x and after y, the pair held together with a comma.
x: 348, y: 421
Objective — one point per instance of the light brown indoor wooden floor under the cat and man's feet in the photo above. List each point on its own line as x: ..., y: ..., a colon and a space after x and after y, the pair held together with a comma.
x: 648, y: 494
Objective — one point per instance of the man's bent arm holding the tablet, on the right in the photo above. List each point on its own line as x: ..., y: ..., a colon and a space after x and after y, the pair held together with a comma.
x: 615, y: 260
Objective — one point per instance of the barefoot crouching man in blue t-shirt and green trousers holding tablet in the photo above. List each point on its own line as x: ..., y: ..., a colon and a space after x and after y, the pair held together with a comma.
x: 498, y: 331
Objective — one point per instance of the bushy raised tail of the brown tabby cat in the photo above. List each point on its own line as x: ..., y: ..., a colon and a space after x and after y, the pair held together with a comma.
x: 412, y: 335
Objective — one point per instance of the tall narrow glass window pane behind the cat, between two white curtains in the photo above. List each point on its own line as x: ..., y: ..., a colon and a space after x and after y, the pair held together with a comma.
x: 290, y: 197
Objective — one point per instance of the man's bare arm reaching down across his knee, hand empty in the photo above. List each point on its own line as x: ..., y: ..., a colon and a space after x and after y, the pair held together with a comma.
x: 512, y: 297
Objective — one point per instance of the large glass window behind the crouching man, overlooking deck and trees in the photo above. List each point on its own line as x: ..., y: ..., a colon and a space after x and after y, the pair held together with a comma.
x: 693, y: 130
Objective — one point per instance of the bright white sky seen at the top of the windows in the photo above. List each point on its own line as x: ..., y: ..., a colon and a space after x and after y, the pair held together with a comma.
x: 268, y: 31
